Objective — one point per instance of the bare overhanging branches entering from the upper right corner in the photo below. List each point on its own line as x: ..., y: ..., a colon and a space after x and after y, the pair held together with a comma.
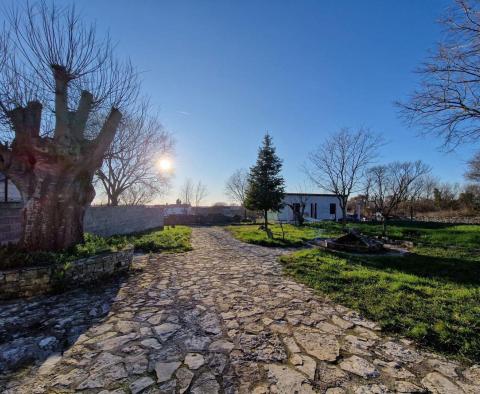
x: 447, y: 100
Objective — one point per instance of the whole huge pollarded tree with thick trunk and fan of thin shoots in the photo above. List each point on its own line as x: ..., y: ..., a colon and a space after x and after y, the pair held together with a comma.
x: 55, y: 74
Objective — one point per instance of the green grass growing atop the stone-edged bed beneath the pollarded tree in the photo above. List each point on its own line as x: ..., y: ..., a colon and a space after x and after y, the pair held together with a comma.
x: 170, y: 239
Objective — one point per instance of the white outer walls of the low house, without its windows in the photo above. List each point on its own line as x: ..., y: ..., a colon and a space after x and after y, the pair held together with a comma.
x: 323, y: 207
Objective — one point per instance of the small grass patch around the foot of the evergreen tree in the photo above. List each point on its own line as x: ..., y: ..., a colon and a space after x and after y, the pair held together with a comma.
x: 294, y: 236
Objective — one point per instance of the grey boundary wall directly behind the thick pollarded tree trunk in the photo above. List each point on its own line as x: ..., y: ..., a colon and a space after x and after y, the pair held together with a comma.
x: 104, y: 221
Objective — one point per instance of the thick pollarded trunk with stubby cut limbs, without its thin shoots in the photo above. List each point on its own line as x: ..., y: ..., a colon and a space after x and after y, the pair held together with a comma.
x: 54, y: 175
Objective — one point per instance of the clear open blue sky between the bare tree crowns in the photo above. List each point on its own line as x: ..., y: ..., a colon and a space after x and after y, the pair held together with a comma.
x: 221, y: 73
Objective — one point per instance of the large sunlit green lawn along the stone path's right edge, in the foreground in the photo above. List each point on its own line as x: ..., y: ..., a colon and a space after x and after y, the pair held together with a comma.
x: 431, y: 295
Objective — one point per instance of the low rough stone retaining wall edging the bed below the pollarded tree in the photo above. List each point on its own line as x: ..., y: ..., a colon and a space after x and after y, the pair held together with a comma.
x: 32, y: 281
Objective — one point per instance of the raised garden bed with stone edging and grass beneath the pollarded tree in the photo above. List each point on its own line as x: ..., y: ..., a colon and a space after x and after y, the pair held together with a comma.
x: 24, y: 274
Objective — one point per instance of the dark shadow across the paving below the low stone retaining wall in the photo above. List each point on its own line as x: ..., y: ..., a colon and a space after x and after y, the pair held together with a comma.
x: 33, y: 329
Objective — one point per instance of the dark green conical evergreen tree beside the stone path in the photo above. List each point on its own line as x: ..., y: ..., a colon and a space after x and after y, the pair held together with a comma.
x: 265, y: 184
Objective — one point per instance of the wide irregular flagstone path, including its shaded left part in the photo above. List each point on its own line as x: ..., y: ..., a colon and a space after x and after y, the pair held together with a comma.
x: 218, y: 319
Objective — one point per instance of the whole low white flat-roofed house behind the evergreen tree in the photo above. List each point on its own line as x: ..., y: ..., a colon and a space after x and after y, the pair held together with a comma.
x: 317, y: 207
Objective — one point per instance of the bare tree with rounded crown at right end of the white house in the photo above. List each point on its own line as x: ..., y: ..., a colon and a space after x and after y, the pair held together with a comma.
x: 338, y: 165
